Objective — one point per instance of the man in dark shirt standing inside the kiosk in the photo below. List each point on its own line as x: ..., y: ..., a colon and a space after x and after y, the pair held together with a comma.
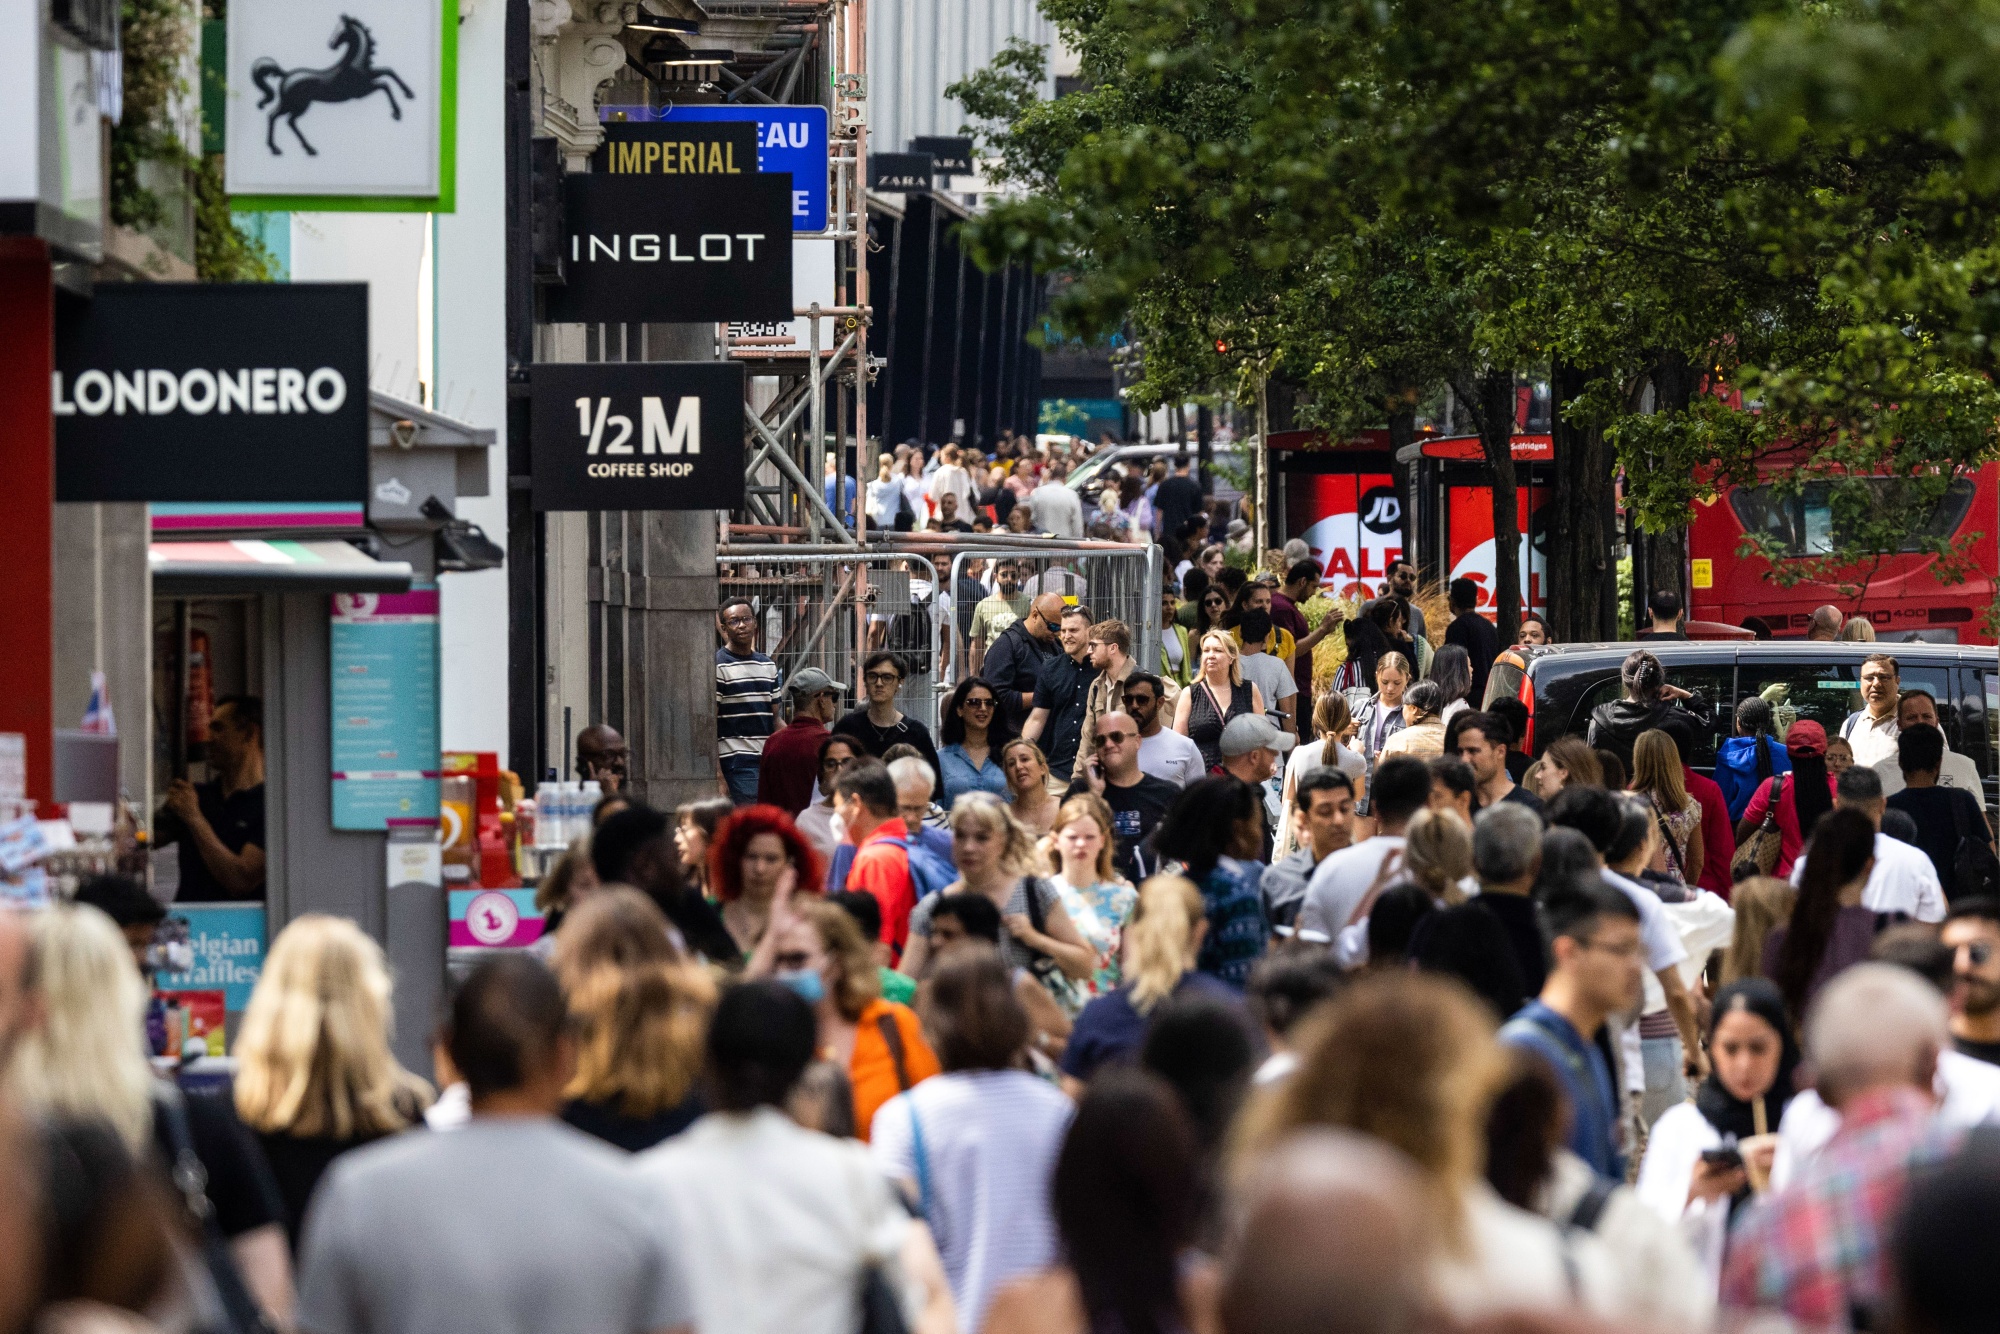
x: 221, y: 825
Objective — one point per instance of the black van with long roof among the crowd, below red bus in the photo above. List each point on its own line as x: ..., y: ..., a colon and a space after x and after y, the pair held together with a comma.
x: 1823, y: 683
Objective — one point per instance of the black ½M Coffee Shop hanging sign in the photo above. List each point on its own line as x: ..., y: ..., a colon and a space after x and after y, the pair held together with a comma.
x: 639, y: 435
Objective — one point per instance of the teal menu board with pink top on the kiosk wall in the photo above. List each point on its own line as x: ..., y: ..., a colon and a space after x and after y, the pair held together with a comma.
x: 385, y: 709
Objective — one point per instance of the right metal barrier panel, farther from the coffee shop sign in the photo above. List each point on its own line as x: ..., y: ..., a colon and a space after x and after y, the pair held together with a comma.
x: 1113, y: 583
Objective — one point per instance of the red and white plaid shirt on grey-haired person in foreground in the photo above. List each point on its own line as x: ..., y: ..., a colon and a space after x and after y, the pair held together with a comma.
x: 1819, y: 1249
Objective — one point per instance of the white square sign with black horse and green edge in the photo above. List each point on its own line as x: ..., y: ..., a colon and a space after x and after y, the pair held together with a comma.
x: 341, y: 105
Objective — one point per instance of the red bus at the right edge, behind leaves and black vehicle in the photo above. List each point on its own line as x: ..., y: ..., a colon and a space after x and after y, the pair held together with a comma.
x: 1903, y: 595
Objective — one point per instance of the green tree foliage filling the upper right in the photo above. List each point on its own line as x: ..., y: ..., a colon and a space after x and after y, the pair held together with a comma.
x: 1681, y: 207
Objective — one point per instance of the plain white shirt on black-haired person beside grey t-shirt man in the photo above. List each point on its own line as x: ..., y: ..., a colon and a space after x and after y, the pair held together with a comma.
x: 777, y: 1223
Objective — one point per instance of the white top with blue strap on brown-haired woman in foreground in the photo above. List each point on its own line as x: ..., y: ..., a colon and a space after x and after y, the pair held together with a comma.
x: 989, y: 1153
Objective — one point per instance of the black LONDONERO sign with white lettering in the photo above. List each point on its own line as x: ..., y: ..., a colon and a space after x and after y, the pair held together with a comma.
x: 231, y: 393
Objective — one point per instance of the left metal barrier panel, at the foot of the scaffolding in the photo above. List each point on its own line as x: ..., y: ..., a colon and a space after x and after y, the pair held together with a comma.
x: 831, y: 611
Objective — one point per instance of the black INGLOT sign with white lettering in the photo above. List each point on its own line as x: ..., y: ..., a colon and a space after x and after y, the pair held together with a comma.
x: 675, y: 249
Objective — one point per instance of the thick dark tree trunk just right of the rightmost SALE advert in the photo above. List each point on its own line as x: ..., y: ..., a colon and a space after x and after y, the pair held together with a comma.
x: 1583, y: 581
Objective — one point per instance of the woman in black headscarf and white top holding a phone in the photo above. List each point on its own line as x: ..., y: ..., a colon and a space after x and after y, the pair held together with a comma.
x: 1737, y: 1107
